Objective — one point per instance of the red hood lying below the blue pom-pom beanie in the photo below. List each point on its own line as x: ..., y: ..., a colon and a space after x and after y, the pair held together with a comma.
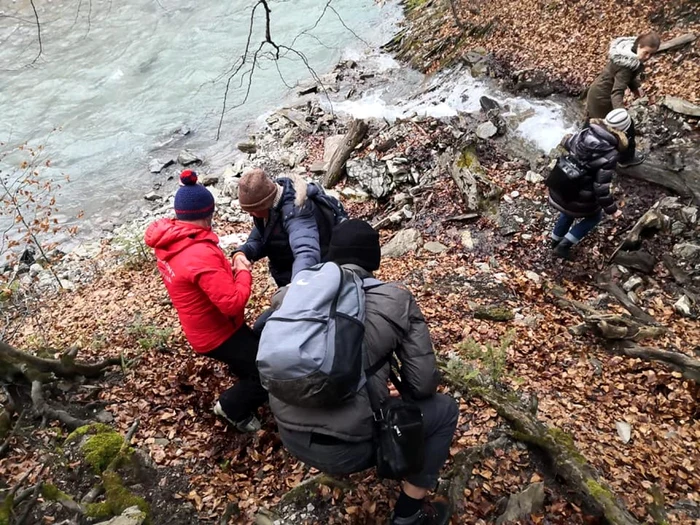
x: 168, y: 237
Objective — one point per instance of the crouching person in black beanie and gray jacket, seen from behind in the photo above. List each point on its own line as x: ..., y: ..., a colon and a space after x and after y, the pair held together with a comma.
x: 339, y: 438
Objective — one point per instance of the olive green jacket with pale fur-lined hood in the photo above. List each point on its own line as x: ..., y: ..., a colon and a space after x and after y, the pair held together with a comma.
x: 622, y: 72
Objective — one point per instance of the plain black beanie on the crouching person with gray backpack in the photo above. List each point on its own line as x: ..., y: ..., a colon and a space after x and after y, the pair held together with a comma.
x: 355, y: 242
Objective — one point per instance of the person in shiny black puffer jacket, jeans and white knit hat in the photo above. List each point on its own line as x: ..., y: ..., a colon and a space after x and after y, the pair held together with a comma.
x: 582, y: 194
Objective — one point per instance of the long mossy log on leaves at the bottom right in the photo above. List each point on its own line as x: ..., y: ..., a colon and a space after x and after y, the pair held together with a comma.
x: 569, y: 464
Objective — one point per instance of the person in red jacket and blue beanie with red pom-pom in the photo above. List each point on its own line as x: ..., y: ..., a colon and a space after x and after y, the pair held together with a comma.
x: 210, y: 297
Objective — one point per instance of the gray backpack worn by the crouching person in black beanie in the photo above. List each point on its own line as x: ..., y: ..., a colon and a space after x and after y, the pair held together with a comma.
x: 310, y: 352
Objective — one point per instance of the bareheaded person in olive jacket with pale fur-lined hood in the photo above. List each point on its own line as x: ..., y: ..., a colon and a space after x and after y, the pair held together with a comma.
x: 627, y: 57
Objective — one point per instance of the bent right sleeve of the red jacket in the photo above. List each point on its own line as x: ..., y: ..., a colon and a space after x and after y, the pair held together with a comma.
x: 228, y: 292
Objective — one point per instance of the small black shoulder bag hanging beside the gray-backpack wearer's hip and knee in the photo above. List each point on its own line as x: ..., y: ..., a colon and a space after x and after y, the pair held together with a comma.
x: 398, y: 431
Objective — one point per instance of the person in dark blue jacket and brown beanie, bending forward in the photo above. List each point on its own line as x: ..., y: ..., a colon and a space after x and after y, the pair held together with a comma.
x: 293, y: 221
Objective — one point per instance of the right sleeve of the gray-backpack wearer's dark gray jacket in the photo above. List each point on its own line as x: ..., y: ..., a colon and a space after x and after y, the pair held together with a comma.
x: 418, y: 366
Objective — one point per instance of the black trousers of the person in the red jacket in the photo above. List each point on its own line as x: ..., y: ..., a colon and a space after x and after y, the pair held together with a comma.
x: 239, y: 353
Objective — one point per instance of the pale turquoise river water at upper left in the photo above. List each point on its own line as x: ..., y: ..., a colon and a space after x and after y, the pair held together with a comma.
x: 116, y: 78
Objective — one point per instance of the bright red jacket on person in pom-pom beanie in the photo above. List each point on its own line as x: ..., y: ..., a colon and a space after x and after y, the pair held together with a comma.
x: 208, y: 297
